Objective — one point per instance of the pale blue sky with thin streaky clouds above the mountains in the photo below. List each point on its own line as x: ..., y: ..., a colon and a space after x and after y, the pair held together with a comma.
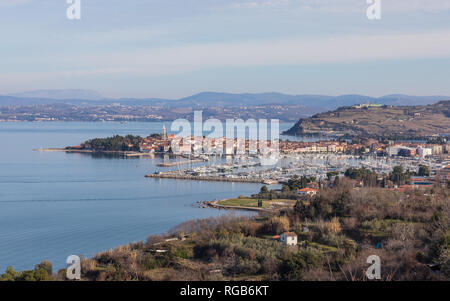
x: 174, y: 48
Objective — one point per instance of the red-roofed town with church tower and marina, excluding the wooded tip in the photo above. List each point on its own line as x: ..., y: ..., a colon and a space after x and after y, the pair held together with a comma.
x: 233, y: 160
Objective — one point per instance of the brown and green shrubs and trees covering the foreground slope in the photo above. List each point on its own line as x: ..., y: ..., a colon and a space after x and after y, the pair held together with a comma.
x: 337, y: 230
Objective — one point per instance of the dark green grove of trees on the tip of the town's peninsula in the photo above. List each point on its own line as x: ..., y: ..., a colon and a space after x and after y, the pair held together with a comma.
x: 115, y: 143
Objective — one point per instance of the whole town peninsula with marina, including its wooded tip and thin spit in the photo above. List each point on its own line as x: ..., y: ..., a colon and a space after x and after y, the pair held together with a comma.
x: 240, y: 160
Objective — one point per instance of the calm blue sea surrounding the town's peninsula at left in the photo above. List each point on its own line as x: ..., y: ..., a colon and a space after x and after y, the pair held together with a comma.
x: 53, y: 204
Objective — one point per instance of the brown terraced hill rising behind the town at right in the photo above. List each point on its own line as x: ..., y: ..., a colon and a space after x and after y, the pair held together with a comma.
x: 378, y: 121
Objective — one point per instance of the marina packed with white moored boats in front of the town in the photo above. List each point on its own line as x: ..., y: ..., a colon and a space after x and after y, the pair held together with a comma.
x: 249, y: 169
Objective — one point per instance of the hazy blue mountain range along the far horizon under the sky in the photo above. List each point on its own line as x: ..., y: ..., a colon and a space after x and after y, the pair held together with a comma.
x: 213, y: 99
